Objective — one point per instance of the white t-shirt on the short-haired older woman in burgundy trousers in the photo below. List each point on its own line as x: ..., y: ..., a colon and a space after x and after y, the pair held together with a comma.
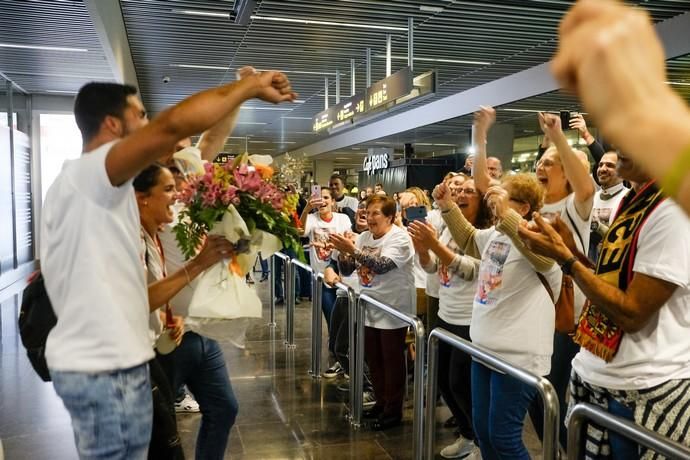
x: 395, y: 287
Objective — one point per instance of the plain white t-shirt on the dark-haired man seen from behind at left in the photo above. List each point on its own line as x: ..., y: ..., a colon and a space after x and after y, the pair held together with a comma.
x: 91, y: 262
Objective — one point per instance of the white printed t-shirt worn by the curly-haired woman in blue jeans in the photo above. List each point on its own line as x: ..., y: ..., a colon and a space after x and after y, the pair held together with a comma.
x: 513, y: 315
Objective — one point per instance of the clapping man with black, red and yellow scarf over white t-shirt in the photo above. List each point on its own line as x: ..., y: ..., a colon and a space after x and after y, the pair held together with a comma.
x: 635, y: 330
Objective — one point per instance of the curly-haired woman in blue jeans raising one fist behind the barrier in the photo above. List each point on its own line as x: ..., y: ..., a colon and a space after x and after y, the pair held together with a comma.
x: 513, y: 315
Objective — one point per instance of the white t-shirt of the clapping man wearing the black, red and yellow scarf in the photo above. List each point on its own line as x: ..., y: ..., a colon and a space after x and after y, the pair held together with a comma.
x: 660, y: 351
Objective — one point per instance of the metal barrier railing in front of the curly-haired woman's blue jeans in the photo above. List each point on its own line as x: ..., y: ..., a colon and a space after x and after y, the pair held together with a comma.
x: 546, y: 390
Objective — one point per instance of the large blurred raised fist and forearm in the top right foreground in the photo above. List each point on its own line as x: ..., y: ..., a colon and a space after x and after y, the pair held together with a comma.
x: 610, y: 55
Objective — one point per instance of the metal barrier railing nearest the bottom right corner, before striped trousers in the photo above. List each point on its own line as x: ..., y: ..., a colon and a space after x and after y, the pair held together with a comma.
x: 582, y: 412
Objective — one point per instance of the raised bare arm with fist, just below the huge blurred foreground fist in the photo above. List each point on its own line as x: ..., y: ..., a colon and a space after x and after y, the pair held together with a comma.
x: 573, y: 167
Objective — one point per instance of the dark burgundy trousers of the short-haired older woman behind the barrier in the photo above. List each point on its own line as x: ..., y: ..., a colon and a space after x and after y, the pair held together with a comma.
x: 384, y: 350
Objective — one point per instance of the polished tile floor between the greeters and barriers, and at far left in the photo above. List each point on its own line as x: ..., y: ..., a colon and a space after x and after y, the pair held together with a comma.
x: 284, y: 413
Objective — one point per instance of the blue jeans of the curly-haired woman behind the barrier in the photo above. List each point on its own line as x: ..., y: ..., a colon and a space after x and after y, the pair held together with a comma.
x: 499, y: 405
